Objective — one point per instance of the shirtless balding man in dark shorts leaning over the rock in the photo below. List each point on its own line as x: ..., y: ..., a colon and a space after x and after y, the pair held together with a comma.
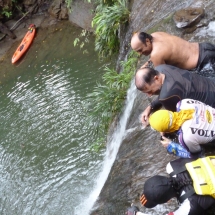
x: 164, y: 48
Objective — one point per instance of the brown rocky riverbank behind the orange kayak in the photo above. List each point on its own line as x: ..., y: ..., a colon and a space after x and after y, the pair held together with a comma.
x: 49, y: 14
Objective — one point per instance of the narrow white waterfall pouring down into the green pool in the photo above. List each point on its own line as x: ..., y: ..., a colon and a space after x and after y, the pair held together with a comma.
x: 110, y: 156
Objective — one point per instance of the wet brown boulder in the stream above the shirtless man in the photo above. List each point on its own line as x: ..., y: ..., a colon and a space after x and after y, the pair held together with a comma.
x: 188, y: 17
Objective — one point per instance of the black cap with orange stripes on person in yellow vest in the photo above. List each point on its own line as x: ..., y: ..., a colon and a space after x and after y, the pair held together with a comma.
x: 157, y: 190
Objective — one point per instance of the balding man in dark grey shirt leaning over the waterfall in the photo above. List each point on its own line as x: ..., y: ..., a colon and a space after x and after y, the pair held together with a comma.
x: 172, y: 84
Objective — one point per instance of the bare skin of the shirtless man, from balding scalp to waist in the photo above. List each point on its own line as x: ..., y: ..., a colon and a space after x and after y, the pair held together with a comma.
x: 164, y: 48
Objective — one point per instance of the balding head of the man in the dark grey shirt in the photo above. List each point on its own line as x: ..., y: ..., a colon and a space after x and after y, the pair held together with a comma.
x: 149, y: 81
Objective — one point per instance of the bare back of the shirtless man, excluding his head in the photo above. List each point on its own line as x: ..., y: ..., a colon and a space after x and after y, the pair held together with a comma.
x: 173, y: 50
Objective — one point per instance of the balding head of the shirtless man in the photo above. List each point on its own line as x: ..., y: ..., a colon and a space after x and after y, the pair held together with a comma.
x: 141, y: 42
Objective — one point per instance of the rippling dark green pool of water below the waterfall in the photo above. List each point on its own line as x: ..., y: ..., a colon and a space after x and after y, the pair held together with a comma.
x: 46, y: 166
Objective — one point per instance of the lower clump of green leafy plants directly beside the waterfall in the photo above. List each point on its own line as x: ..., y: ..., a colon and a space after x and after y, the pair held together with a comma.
x: 107, y: 99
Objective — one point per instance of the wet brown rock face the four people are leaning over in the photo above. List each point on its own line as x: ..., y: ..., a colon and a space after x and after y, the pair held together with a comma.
x: 141, y: 155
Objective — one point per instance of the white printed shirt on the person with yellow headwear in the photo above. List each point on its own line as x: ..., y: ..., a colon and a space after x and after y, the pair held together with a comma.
x: 201, y: 128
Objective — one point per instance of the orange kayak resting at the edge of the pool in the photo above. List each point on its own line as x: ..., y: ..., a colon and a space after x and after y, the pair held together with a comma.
x: 26, y: 42
